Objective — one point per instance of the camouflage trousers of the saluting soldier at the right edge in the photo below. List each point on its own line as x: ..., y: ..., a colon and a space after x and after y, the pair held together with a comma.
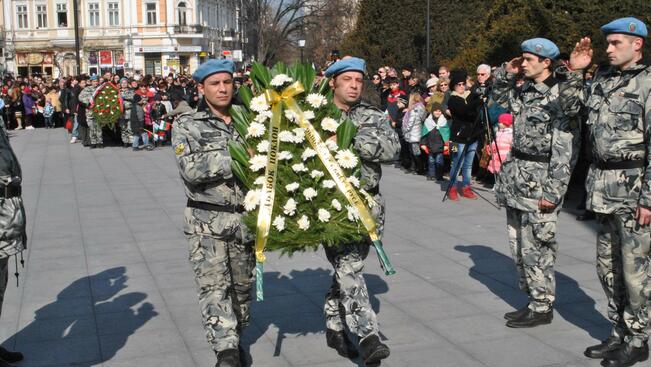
x: 623, y: 269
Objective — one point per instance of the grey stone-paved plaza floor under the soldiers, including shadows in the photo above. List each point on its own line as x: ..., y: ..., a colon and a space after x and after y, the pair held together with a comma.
x: 107, y: 281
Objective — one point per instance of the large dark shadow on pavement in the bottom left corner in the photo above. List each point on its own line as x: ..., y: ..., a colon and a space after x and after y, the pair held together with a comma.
x: 62, y: 324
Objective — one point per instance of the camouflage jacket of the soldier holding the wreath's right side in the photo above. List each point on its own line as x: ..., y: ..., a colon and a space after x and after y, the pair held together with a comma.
x: 376, y: 142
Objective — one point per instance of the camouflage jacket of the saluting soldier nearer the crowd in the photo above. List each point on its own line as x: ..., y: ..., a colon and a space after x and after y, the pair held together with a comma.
x: 541, y: 128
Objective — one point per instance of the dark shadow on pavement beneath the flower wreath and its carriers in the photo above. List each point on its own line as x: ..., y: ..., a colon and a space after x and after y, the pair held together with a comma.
x: 300, y: 318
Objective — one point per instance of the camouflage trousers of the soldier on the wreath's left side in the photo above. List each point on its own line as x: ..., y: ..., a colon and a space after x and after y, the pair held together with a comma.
x: 223, y: 268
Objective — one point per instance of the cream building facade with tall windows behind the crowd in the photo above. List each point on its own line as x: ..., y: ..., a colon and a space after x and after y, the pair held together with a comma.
x: 138, y: 36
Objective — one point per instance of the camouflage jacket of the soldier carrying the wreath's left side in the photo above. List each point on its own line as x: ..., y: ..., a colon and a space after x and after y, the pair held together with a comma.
x: 200, y: 143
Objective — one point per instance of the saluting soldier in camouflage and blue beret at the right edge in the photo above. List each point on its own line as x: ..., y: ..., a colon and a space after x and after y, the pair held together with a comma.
x: 618, y: 104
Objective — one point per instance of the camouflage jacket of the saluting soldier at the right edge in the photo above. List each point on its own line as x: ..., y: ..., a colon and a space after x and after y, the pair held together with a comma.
x: 618, y: 105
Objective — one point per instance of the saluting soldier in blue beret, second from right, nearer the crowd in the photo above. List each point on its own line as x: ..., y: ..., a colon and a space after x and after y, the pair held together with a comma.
x: 534, y: 178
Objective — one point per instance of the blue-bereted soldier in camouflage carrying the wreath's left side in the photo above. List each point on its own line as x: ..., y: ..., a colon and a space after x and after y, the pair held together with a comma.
x: 221, y: 249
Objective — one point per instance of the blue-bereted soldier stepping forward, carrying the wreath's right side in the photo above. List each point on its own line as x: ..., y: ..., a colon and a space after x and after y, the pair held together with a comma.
x: 347, y: 302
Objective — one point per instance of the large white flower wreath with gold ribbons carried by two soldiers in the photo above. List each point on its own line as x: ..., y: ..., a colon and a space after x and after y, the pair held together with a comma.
x: 299, y: 166
